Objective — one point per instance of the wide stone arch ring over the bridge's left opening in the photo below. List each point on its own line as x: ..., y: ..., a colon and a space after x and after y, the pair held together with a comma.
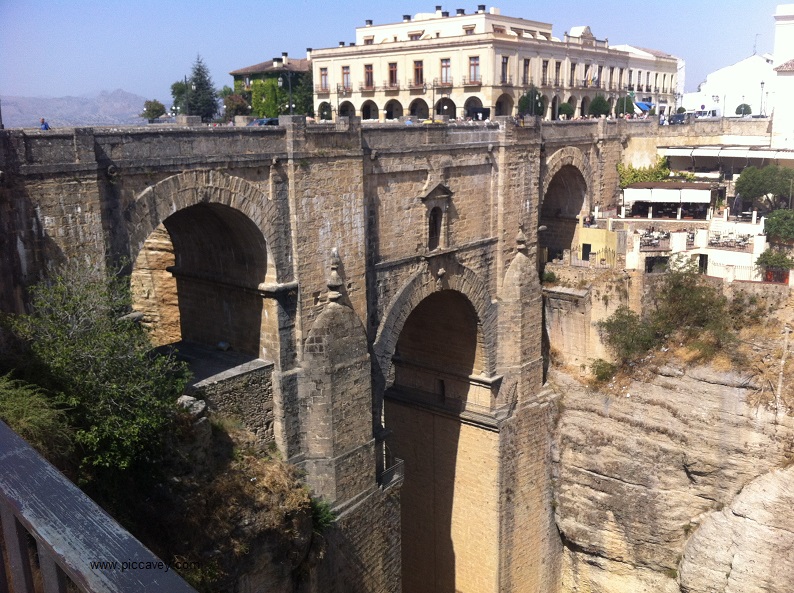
x: 152, y: 206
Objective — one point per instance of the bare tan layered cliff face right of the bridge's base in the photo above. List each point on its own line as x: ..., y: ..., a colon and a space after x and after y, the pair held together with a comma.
x: 644, y: 472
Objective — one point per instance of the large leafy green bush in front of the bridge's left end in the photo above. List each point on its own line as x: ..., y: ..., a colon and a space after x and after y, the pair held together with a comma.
x: 119, y: 396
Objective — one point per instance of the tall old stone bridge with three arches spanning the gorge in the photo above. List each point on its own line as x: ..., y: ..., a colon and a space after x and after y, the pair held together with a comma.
x: 386, y: 280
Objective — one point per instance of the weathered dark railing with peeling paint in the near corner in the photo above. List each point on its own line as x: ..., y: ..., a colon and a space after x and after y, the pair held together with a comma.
x: 74, y: 538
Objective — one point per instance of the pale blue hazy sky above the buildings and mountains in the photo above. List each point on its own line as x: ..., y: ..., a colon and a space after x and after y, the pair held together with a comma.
x: 55, y: 48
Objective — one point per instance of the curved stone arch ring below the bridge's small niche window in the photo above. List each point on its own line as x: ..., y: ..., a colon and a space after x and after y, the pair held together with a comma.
x: 422, y: 284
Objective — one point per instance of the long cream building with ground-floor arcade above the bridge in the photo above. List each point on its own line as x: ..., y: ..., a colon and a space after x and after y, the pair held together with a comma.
x: 478, y: 65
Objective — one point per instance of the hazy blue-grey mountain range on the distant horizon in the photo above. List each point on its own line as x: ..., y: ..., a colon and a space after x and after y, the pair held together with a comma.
x: 105, y: 109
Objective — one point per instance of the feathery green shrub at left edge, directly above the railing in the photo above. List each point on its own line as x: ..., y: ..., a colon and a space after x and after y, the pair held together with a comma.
x: 34, y: 417
